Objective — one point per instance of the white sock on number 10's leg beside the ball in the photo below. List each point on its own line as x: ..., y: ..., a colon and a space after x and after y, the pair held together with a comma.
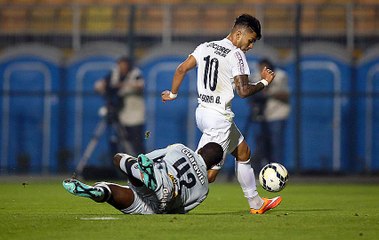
x: 246, y: 178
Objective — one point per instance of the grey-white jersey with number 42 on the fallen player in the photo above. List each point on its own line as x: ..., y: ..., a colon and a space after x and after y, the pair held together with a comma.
x: 181, y: 175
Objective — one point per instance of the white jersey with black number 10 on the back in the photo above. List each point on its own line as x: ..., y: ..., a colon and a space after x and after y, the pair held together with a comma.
x: 218, y: 63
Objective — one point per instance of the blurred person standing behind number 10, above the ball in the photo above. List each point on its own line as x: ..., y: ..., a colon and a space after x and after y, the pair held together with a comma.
x: 269, y: 112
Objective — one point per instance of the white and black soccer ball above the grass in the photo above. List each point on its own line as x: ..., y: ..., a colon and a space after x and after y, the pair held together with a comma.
x: 273, y: 177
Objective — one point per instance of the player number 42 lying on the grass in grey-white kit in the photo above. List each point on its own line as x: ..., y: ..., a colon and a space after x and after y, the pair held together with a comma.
x: 169, y: 180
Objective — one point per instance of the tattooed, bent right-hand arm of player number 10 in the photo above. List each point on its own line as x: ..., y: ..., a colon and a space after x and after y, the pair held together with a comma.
x: 244, y: 89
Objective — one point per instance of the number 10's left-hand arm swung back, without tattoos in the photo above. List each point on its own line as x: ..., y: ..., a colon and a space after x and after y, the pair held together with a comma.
x: 179, y: 75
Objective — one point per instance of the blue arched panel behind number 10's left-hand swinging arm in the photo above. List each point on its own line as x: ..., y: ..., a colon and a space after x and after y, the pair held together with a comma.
x: 169, y: 122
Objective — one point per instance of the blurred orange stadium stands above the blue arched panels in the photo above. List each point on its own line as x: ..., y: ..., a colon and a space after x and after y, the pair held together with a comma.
x: 70, y: 25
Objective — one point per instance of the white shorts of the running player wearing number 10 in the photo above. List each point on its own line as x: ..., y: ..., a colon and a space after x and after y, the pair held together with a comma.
x: 217, y: 128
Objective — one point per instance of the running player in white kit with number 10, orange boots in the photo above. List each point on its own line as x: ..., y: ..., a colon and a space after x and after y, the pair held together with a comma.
x: 222, y: 68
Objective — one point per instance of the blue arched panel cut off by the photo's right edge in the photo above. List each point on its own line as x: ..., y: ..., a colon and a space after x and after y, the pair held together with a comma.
x: 368, y: 111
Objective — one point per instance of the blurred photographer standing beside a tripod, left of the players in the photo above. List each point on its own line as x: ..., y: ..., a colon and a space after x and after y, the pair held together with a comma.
x: 122, y: 89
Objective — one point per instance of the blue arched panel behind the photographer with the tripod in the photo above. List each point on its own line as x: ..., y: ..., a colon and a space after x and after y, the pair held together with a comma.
x: 91, y: 63
